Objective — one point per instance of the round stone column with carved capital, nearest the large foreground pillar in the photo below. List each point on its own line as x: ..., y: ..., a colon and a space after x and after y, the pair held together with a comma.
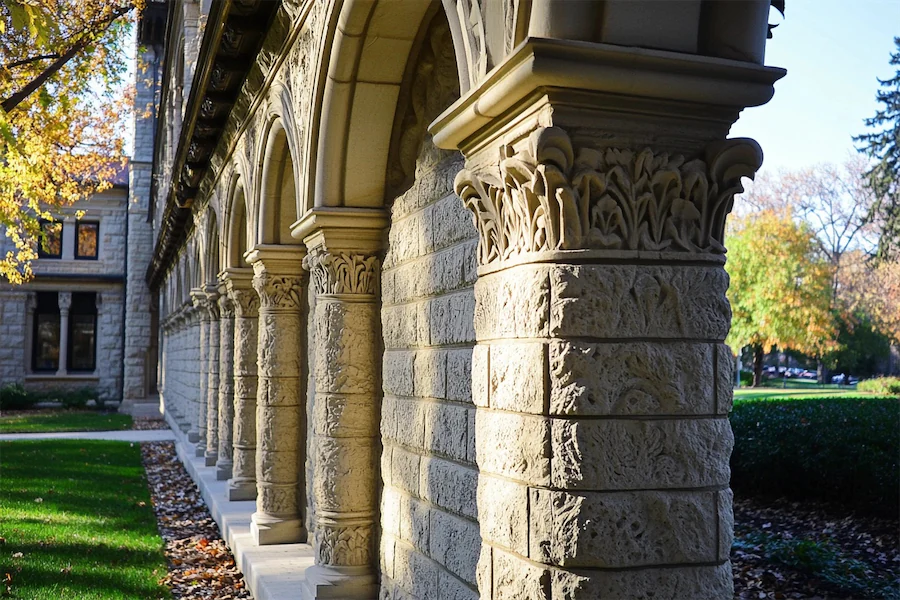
x: 345, y: 448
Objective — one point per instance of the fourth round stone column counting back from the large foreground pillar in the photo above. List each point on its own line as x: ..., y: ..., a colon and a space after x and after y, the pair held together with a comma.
x: 226, y: 384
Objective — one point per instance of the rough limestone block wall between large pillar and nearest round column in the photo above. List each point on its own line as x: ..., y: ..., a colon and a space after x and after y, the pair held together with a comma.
x: 430, y: 538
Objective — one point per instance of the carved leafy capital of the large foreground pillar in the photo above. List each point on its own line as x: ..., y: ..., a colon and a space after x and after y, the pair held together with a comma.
x: 549, y: 195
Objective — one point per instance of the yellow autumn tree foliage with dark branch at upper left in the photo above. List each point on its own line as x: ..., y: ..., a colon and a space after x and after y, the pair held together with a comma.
x: 62, y: 64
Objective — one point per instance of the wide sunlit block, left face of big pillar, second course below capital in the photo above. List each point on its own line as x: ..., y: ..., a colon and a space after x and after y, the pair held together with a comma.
x: 518, y: 377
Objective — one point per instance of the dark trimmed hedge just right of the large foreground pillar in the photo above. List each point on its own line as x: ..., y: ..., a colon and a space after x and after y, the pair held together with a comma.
x: 832, y: 449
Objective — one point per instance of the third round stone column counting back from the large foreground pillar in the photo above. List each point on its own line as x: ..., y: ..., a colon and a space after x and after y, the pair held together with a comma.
x: 242, y: 485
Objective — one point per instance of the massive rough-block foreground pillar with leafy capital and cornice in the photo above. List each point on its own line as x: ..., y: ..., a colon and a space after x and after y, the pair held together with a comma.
x: 600, y: 376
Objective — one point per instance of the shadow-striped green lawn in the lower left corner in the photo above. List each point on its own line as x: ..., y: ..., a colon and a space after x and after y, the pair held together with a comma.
x: 77, y: 522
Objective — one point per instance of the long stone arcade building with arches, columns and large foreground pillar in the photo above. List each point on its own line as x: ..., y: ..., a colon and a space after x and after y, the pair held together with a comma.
x: 441, y: 288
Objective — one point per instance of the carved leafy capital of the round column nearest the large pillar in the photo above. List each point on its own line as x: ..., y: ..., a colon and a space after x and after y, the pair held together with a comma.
x: 342, y: 273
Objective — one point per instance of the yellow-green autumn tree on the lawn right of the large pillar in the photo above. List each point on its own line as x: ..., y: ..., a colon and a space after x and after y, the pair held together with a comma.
x: 780, y: 289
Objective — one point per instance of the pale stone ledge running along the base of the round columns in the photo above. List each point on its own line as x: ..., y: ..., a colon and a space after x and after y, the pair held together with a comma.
x: 270, y: 572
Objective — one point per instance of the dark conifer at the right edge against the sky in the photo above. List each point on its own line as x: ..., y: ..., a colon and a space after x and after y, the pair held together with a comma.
x: 882, y: 145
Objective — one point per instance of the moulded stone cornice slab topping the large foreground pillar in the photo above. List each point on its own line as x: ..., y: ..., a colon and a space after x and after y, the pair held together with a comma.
x: 539, y: 65
